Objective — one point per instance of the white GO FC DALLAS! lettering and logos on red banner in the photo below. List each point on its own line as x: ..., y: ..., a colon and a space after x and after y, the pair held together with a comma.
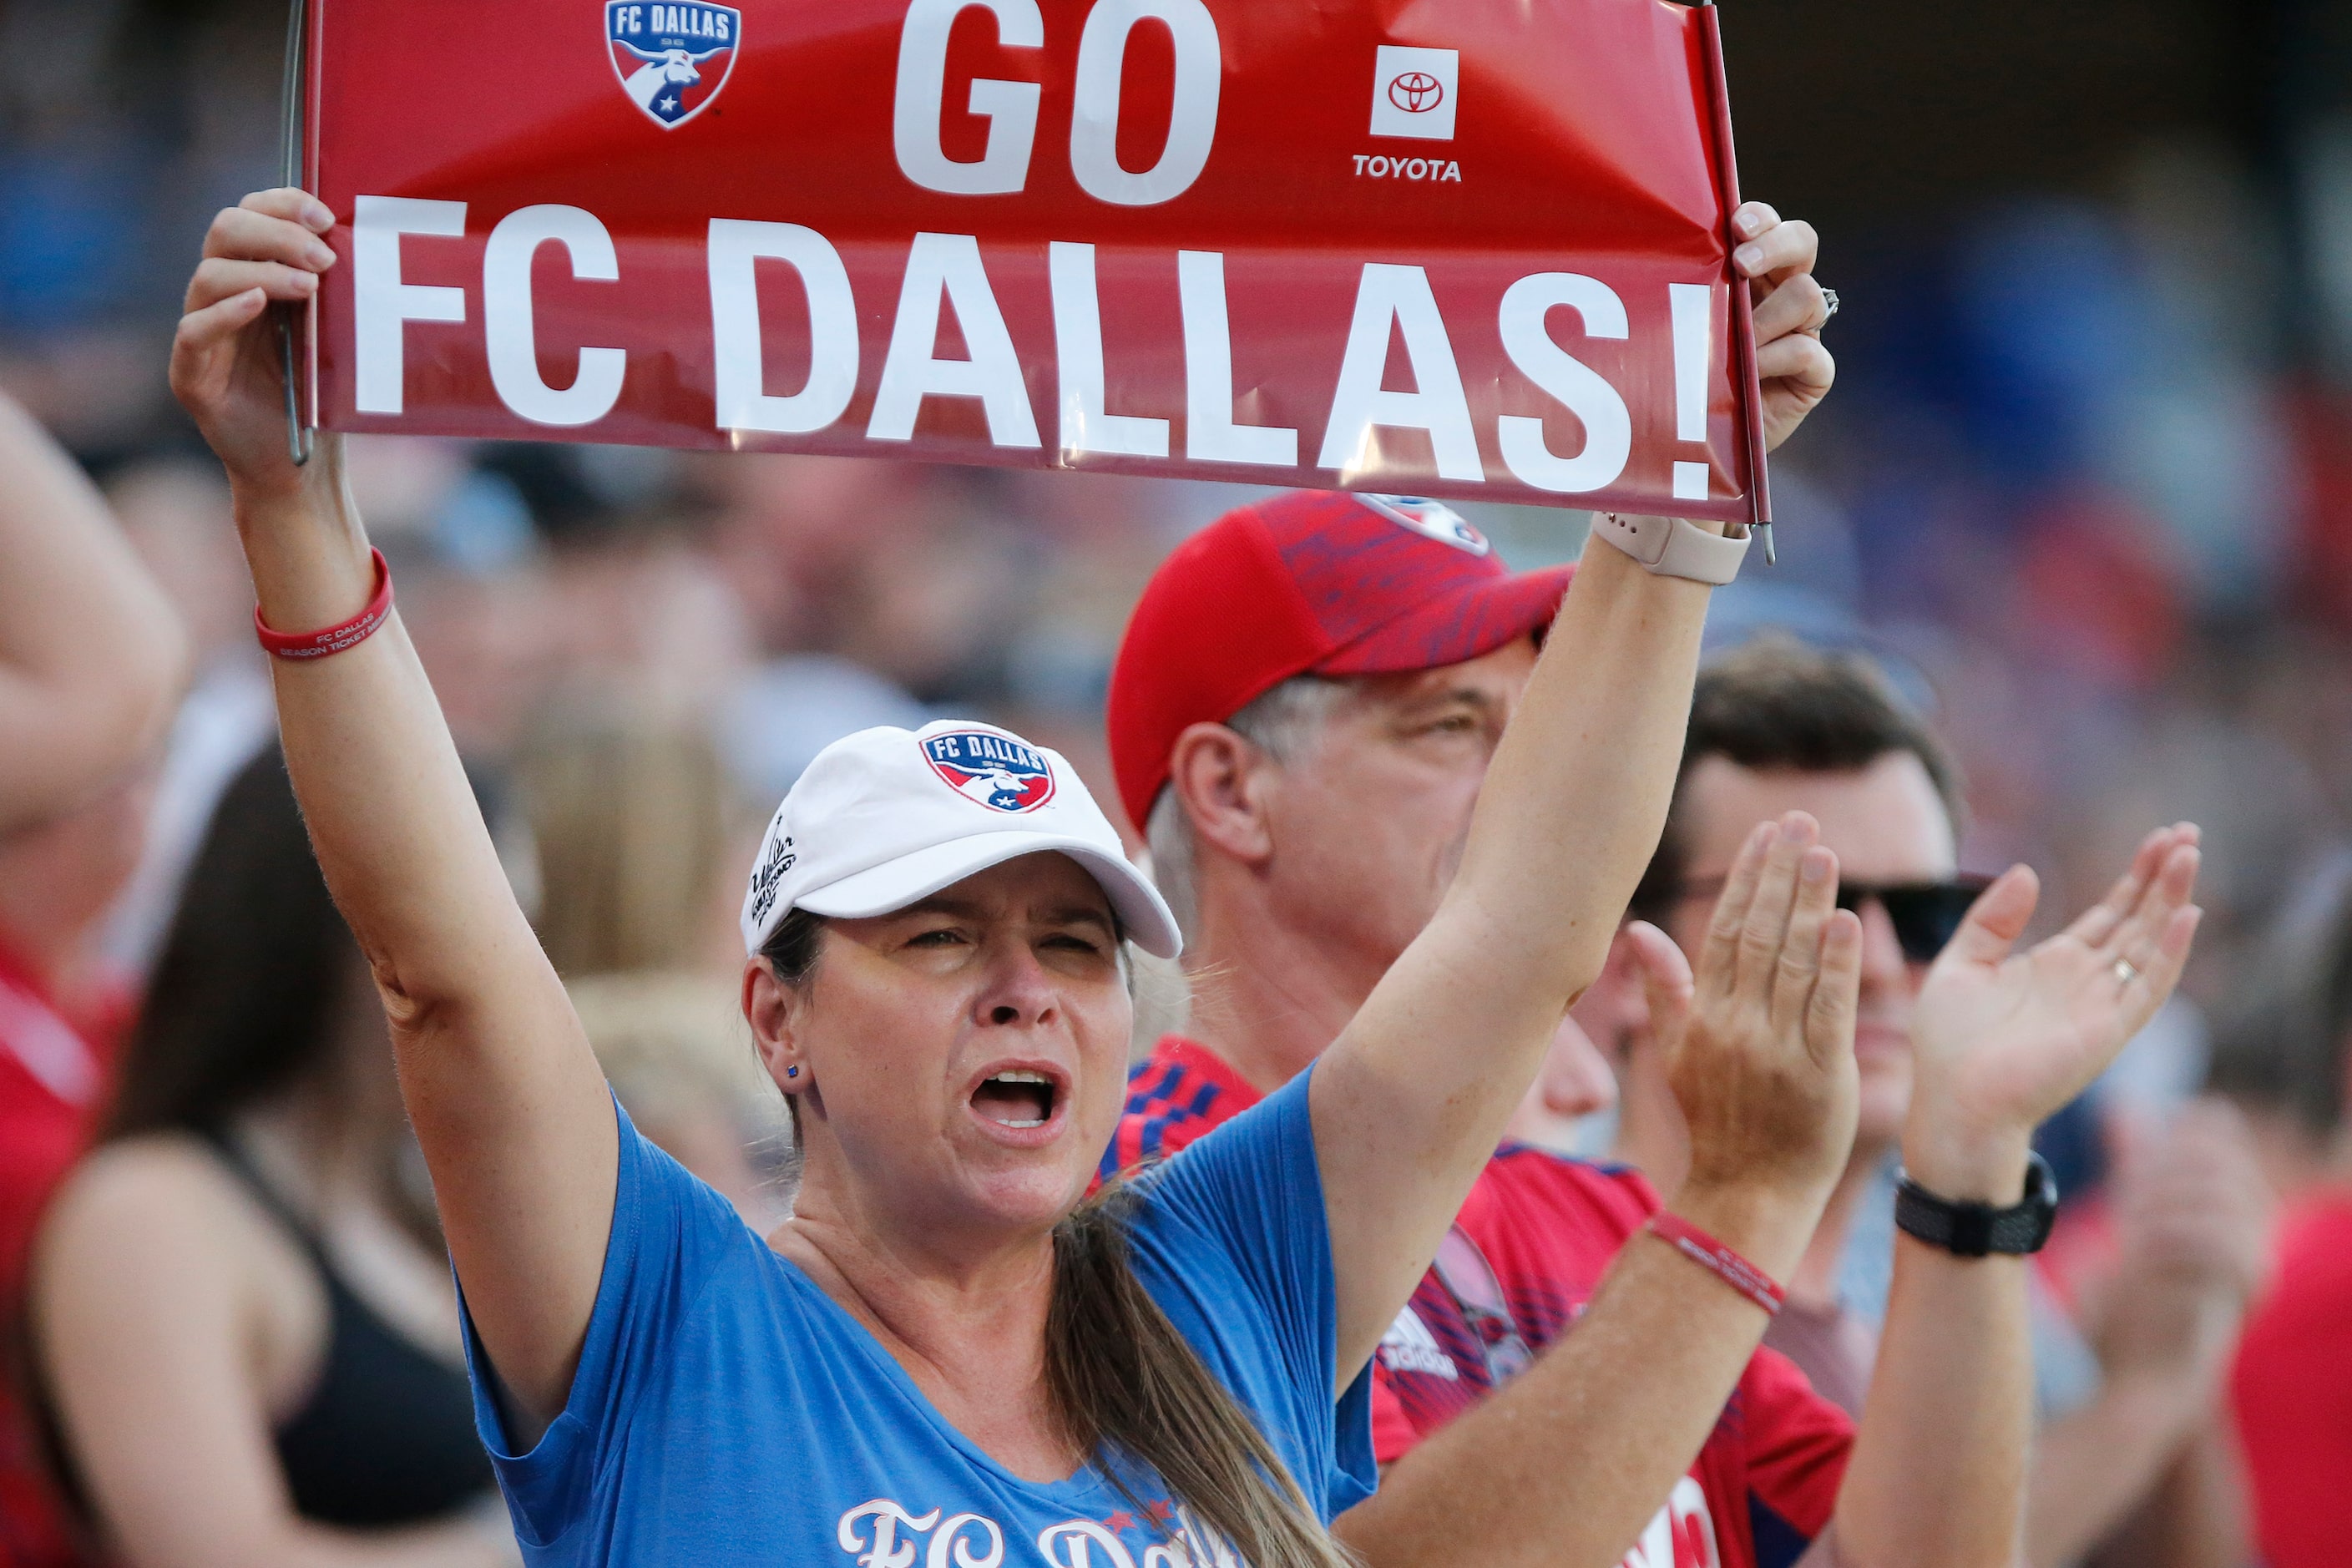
x: 679, y: 58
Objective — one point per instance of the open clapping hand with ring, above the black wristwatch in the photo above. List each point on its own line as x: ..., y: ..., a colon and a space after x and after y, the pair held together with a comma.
x: 2007, y: 1038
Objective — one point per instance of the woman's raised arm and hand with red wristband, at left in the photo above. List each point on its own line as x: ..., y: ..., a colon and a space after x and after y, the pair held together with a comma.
x: 500, y: 1080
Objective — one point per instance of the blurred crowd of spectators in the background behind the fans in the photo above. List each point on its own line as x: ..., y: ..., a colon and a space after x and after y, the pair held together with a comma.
x: 2078, y: 495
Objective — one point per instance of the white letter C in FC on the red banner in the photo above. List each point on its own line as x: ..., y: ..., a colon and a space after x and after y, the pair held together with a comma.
x: 507, y: 316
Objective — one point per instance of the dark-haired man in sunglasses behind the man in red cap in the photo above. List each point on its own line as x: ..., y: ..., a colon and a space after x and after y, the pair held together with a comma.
x: 1784, y: 728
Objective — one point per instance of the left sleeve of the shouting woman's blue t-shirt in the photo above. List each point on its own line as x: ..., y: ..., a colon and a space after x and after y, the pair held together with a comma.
x: 669, y: 1233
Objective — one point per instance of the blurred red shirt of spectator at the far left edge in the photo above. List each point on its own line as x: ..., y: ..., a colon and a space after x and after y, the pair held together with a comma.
x: 48, y: 1087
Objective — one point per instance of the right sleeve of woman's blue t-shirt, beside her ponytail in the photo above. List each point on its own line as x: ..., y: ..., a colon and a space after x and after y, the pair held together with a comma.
x: 1236, y: 1226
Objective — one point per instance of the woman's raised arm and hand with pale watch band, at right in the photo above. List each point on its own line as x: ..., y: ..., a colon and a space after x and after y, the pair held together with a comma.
x: 1415, y: 1094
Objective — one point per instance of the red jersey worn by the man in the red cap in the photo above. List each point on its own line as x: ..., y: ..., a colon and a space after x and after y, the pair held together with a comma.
x: 1542, y: 1233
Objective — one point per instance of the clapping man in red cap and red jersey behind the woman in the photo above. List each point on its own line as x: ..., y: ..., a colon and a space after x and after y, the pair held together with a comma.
x: 1302, y: 718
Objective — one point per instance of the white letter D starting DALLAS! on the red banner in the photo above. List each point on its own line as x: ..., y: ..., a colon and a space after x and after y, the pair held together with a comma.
x: 740, y: 380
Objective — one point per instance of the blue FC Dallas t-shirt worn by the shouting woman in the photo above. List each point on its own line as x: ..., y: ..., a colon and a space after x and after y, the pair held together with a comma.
x: 728, y: 1412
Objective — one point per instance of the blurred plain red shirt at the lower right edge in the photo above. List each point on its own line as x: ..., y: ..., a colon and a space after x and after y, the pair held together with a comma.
x: 2294, y: 1393
